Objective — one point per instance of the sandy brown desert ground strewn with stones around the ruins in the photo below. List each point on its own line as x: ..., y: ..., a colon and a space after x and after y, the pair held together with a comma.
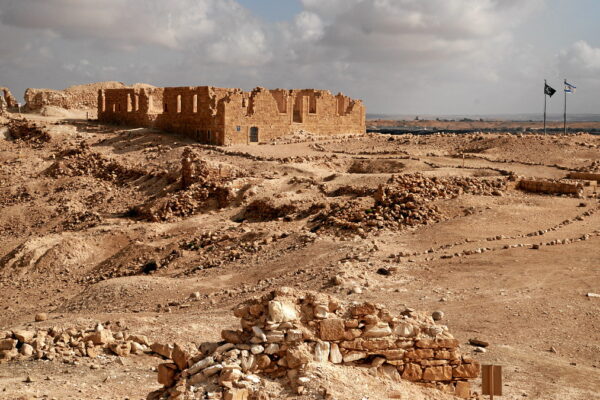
x: 96, y: 228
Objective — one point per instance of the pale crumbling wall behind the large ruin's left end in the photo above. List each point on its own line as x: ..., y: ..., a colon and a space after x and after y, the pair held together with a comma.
x: 80, y: 97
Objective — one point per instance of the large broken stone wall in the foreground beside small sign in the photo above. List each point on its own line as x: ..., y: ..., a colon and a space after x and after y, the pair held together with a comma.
x: 286, y: 331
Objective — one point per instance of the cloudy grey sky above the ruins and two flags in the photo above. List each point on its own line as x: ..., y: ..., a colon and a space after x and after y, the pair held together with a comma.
x: 438, y: 57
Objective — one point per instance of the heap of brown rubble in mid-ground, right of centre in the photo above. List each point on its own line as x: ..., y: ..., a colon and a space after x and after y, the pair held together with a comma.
x: 406, y: 201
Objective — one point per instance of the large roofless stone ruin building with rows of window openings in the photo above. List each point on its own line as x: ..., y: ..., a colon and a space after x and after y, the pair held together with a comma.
x: 222, y: 116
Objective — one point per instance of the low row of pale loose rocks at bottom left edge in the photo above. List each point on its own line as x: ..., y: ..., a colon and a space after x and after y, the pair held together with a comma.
x: 67, y: 344
